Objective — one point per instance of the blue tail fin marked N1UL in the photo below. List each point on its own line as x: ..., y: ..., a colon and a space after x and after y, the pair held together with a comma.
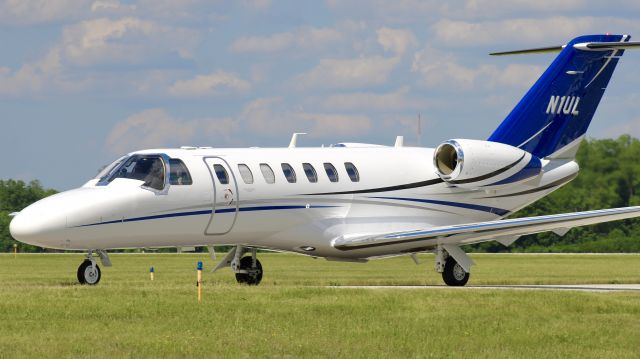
x: 554, y: 115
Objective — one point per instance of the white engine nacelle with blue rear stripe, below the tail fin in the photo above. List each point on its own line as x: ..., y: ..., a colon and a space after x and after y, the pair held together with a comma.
x: 486, y: 164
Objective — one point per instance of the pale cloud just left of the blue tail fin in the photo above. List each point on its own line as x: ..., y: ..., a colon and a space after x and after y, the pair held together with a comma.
x: 440, y: 69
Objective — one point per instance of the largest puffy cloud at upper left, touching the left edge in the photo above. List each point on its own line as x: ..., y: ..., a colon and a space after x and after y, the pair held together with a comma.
x: 99, y: 42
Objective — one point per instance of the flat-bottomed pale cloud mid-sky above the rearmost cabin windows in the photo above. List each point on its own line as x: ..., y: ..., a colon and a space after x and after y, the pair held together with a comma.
x: 349, y: 73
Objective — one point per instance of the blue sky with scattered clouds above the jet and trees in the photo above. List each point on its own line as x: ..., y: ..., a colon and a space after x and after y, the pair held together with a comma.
x: 83, y: 82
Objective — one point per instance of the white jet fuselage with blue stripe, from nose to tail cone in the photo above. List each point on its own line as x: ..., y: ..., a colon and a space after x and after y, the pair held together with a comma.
x: 397, y: 190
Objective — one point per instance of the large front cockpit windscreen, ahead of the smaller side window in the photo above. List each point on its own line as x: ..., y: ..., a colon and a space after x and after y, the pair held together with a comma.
x: 149, y: 169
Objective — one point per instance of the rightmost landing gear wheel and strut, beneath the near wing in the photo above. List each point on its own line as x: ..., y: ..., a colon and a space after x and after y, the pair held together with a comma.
x: 455, y: 273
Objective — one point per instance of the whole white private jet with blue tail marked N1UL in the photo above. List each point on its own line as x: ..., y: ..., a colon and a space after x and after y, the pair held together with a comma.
x: 349, y: 201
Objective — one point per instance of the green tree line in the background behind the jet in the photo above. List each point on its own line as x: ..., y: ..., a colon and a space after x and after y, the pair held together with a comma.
x: 609, y: 177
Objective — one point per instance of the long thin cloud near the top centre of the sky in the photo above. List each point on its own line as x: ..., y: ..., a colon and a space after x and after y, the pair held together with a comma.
x: 310, y: 38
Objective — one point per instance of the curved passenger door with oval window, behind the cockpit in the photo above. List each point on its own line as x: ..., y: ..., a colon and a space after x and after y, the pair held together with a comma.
x: 225, y: 196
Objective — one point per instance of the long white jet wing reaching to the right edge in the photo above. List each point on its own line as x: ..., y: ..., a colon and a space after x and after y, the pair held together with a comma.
x: 505, y: 231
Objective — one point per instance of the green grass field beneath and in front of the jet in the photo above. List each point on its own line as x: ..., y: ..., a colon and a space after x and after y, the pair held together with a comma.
x: 44, y: 313
